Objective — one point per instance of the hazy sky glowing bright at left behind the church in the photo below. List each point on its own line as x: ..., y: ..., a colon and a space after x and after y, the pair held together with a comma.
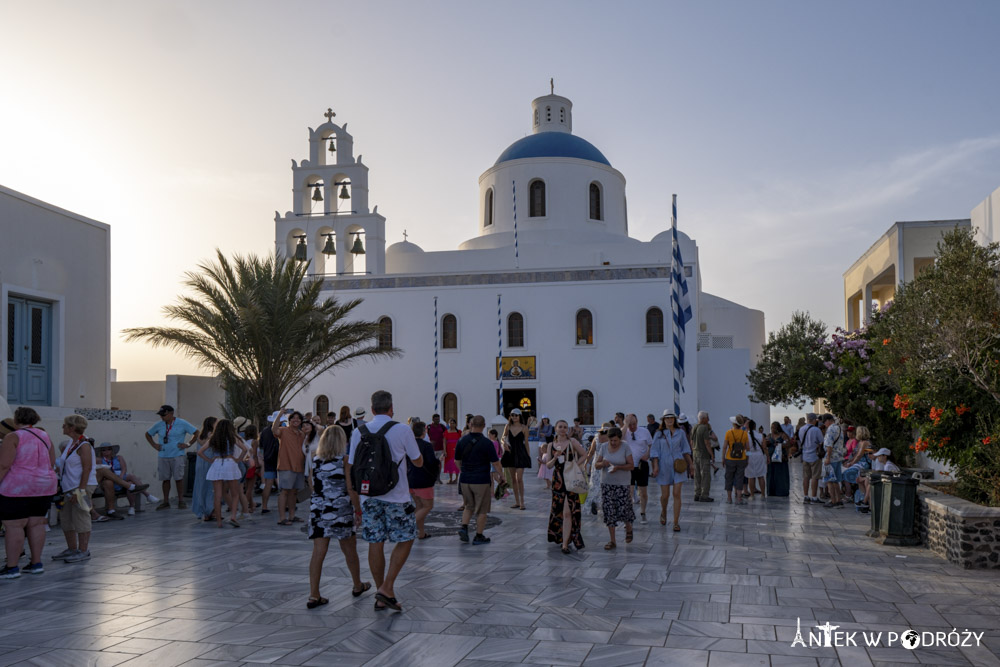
x: 794, y: 133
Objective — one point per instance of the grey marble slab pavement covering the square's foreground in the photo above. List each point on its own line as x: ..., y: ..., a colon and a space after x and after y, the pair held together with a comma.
x: 164, y: 590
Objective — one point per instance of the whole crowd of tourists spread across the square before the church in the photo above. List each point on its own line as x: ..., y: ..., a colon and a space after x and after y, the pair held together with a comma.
x: 377, y: 478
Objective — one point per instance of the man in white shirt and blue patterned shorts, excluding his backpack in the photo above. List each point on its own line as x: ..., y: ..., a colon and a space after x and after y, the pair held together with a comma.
x: 391, y: 516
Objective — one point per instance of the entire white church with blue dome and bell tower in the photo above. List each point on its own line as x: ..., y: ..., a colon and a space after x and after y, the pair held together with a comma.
x: 571, y: 311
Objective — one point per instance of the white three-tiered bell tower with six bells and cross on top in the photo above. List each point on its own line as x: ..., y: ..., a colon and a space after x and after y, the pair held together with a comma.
x: 330, y: 224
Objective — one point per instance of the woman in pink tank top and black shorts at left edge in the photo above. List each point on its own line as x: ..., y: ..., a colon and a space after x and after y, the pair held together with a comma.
x: 27, y: 482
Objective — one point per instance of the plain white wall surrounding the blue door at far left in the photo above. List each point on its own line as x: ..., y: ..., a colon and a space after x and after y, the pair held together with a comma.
x: 63, y: 259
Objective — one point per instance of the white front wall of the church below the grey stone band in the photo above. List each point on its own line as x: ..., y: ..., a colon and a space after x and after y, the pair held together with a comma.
x: 620, y: 368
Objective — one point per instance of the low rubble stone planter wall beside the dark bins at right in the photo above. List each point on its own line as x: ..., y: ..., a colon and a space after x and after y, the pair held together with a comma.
x: 959, y: 531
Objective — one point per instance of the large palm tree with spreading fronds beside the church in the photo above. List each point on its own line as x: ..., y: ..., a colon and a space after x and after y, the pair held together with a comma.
x: 259, y: 325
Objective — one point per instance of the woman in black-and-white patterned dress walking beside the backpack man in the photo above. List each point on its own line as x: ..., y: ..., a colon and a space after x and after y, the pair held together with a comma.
x: 334, y: 512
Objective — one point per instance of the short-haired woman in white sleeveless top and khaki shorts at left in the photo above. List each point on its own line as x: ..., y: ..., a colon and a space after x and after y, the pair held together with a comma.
x: 78, y: 479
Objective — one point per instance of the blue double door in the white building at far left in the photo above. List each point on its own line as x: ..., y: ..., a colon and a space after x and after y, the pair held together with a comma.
x: 29, y: 352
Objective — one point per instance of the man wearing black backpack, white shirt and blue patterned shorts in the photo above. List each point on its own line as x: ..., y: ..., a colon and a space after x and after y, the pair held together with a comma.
x: 376, y: 470
